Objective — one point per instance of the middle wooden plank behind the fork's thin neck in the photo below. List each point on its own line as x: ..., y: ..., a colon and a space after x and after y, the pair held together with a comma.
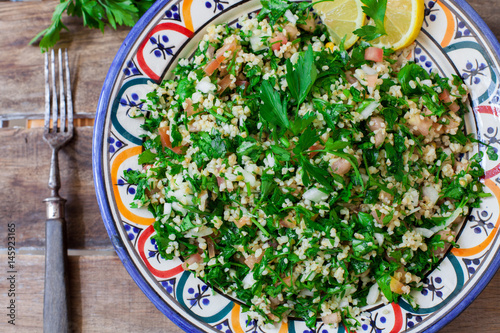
x: 25, y: 162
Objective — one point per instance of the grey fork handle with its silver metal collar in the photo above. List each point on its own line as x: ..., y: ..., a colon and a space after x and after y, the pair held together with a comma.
x: 55, y: 304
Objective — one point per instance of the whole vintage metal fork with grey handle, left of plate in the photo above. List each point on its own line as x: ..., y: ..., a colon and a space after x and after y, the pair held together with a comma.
x: 57, y: 133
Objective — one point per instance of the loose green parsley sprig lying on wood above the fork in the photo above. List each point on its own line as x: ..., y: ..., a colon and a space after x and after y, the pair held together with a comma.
x: 95, y: 14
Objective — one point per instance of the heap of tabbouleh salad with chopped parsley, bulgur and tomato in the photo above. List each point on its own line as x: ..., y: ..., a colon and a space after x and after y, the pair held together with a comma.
x: 304, y: 179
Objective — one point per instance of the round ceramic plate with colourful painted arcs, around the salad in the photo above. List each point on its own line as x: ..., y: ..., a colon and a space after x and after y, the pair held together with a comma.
x: 453, y: 40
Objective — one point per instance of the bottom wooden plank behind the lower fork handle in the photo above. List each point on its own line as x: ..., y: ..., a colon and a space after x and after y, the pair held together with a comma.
x: 103, y: 298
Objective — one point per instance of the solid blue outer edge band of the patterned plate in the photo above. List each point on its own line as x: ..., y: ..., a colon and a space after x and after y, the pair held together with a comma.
x: 104, y: 206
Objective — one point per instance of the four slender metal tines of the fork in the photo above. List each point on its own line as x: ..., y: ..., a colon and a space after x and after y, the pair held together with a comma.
x: 58, y: 115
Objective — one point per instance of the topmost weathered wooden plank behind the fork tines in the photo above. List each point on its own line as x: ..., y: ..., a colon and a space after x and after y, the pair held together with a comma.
x: 21, y: 65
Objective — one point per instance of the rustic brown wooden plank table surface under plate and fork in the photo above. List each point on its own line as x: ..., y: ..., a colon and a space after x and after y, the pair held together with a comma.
x: 103, y: 296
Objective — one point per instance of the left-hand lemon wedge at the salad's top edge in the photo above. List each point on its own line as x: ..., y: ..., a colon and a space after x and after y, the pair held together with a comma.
x: 342, y: 17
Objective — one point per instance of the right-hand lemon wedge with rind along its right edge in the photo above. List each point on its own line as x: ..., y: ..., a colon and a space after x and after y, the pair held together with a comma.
x: 403, y: 21
